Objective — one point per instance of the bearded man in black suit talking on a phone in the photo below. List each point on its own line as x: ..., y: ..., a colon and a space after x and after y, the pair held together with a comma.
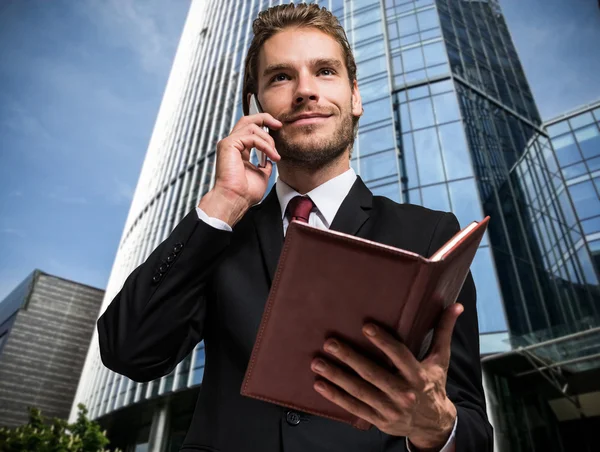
x: 211, y: 277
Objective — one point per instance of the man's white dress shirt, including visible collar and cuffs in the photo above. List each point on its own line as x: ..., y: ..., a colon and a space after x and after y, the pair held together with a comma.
x: 327, y: 199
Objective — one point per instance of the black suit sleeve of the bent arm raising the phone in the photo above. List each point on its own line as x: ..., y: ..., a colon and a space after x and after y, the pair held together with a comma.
x: 158, y: 316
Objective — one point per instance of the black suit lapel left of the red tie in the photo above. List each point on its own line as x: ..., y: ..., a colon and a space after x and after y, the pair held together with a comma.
x: 269, y: 227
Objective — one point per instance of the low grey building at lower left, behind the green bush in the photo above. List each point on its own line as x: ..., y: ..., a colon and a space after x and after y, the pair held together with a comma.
x: 46, y: 325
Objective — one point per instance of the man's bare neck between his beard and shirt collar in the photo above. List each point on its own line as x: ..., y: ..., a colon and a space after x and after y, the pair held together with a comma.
x: 304, y: 179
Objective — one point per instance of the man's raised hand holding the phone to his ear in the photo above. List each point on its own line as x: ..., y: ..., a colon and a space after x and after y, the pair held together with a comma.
x: 238, y: 183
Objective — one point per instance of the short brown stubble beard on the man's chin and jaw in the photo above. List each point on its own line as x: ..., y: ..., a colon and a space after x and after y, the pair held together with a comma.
x: 315, y: 156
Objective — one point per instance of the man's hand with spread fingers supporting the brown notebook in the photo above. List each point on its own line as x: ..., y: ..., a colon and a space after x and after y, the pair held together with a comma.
x: 411, y: 402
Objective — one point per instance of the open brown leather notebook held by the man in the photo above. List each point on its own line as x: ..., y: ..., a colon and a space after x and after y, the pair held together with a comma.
x: 329, y: 284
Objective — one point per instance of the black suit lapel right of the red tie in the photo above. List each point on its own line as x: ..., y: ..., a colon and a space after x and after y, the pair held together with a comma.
x: 354, y: 211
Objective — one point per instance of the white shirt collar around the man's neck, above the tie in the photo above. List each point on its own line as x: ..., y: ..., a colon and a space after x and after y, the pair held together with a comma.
x: 328, y: 197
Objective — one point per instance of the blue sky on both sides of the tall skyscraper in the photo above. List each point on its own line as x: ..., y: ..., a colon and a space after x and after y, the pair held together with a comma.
x: 80, y: 86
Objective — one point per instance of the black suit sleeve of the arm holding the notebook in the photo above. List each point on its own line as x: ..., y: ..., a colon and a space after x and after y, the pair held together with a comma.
x: 464, y: 384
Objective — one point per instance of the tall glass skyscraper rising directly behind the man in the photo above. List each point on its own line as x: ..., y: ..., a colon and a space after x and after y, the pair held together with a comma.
x: 450, y: 123
